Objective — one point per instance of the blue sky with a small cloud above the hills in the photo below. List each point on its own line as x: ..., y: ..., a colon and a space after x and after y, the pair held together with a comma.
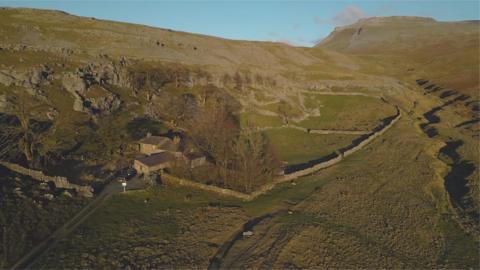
x: 295, y: 22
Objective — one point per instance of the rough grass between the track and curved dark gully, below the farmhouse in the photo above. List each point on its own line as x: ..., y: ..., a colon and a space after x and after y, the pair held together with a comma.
x: 172, y: 230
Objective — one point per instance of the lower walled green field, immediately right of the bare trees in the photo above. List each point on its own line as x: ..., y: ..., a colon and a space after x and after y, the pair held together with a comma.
x: 295, y: 146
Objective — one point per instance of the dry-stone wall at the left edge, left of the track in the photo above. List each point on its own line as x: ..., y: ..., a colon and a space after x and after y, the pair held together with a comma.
x: 59, y: 181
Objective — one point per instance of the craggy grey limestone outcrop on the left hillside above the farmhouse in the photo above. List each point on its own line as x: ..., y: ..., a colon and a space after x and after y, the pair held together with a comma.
x: 85, y: 84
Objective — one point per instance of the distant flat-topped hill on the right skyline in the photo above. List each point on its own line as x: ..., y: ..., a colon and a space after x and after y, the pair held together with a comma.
x: 415, y: 48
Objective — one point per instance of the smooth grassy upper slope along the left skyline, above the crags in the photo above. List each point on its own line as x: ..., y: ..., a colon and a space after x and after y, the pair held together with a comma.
x: 52, y: 29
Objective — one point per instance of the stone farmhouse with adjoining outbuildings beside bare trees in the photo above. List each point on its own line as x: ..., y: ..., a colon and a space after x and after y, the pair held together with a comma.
x: 161, y: 152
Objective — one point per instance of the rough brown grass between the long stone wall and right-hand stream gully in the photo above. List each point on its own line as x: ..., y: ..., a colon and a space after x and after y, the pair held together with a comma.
x: 377, y: 212
